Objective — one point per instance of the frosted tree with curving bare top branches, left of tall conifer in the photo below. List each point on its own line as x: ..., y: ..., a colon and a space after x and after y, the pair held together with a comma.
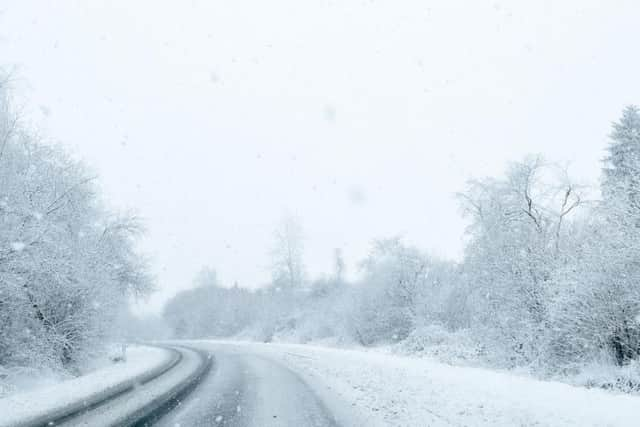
x: 516, y: 241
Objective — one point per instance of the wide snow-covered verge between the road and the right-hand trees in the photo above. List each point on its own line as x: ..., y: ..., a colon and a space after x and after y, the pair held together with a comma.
x: 385, y: 389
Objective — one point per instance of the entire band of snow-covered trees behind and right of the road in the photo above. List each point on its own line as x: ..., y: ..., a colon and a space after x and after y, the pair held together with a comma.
x: 549, y: 277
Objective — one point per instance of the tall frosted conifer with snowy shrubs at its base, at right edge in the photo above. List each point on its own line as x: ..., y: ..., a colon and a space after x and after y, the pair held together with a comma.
x: 598, y: 312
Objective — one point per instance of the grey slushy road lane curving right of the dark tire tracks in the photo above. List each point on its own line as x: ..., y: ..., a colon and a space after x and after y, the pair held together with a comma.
x: 244, y: 390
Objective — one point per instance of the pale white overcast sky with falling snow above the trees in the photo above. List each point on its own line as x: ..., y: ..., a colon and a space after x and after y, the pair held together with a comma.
x: 214, y: 118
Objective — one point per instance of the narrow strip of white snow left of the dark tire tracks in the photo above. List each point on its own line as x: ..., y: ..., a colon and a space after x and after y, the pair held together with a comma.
x: 20, y: 407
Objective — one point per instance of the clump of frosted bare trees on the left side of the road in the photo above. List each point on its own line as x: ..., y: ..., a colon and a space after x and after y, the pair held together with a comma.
x: 67, y: 265
